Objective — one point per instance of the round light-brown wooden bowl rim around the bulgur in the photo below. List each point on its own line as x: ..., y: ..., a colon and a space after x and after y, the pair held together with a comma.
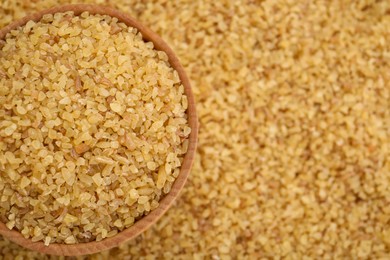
x: 146, y: 221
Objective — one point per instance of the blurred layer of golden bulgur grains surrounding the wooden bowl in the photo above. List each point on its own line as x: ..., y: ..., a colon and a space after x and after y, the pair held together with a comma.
x: 294, y: 105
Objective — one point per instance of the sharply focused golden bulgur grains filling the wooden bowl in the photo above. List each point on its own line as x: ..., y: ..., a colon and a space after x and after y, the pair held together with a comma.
x: 93, y: 128
